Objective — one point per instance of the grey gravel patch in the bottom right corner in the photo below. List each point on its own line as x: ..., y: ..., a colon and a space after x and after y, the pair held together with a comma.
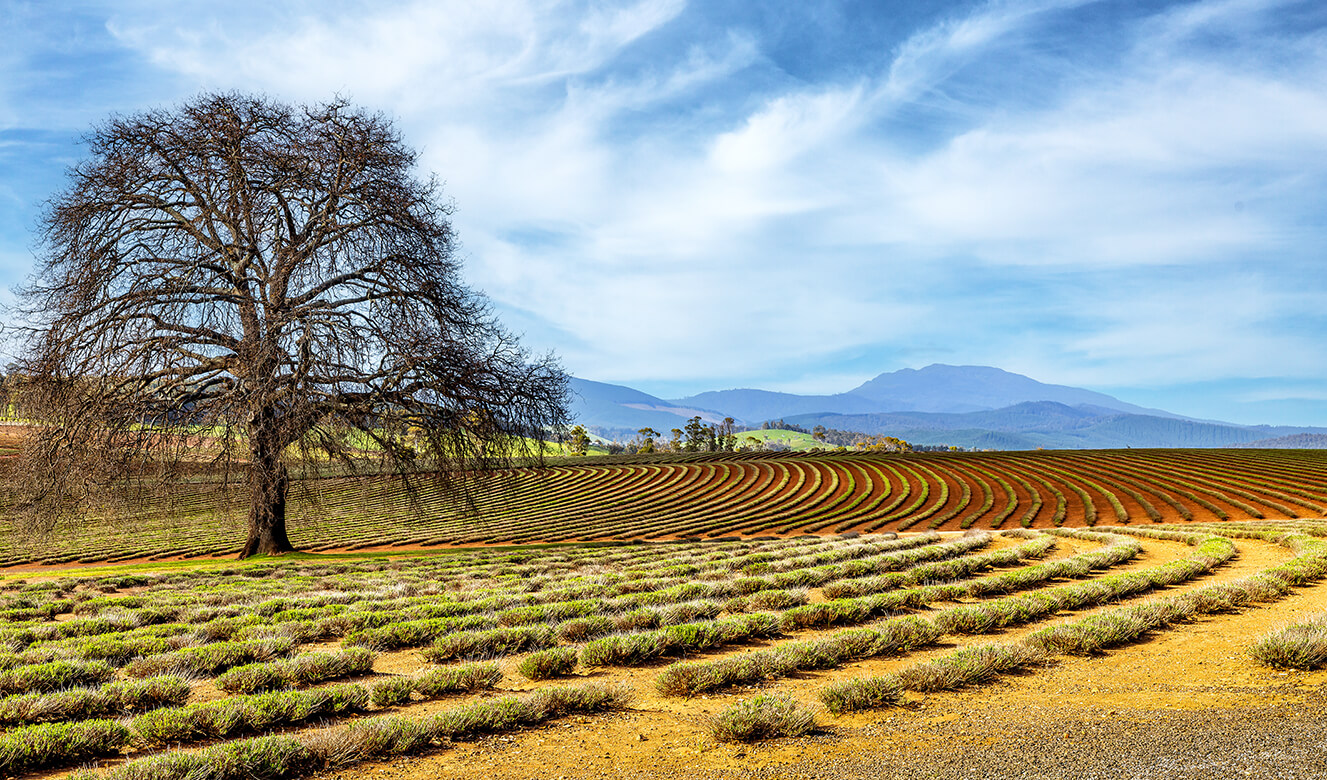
x: 1275, y: 742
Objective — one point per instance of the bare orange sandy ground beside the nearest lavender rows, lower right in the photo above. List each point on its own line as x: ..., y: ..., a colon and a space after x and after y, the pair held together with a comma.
x: 1186, y: 704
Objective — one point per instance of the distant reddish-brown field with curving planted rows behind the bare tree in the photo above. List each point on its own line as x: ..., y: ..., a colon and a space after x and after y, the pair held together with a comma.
x: 721, y: 495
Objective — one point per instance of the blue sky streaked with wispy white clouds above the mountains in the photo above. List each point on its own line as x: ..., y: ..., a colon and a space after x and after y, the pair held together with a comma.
x: 683, y: 197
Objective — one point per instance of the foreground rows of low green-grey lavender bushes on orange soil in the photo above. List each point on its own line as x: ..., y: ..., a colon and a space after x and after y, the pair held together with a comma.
x: 285, y: 668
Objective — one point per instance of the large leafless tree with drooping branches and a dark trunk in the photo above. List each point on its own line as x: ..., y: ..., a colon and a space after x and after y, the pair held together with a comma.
x: 245, y: 283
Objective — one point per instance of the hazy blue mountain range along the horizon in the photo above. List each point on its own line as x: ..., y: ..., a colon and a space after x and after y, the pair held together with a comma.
x: 969, y: 407
